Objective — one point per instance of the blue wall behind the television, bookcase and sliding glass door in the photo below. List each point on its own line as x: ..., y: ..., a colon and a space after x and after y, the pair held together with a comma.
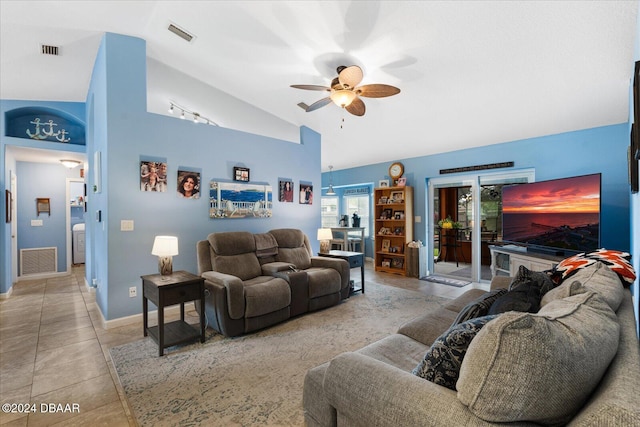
x: 599, y: 150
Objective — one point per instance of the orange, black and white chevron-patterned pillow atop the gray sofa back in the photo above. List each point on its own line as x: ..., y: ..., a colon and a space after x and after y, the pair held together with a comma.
x: 619, y: 262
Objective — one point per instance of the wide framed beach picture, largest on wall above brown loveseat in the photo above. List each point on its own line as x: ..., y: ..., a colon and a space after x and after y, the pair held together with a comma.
x: 235, y: 200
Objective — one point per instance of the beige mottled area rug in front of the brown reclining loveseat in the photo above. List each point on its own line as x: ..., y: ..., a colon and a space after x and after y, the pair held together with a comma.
x: 256, y: 379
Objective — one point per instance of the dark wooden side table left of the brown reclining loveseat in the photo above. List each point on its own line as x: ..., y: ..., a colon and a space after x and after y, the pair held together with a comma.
x: 176, y: 288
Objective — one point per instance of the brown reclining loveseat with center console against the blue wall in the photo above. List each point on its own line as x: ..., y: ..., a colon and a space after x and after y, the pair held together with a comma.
x: 253, y: 281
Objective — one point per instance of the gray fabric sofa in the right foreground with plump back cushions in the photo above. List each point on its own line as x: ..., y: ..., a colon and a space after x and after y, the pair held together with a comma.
x: 575, y: 362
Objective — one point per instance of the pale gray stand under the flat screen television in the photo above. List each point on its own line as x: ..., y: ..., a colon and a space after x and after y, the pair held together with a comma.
x: 507, y: 259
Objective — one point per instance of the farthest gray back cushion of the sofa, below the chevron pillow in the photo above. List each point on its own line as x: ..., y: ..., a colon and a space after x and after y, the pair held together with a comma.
x: 598, y: 278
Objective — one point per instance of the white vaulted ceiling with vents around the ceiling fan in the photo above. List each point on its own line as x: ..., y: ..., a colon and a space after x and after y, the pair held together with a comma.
x: 471, y: 73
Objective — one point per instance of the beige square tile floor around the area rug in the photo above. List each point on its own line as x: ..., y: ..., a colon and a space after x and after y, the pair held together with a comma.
x: 53, y: 350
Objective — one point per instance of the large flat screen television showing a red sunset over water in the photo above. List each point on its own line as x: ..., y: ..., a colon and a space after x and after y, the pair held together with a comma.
x: 560, y: 216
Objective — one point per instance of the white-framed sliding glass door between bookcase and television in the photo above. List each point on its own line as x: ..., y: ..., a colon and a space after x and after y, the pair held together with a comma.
x: 465, y: 214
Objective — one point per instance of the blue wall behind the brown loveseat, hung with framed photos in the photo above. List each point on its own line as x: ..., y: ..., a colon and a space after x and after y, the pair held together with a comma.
x: 120, y: 128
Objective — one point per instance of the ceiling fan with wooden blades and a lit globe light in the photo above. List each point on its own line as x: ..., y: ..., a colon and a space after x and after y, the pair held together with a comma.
x: 346, y: 93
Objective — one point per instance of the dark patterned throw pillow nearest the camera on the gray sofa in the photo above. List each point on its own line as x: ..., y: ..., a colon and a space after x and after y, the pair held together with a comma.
x: 442, y: 362
